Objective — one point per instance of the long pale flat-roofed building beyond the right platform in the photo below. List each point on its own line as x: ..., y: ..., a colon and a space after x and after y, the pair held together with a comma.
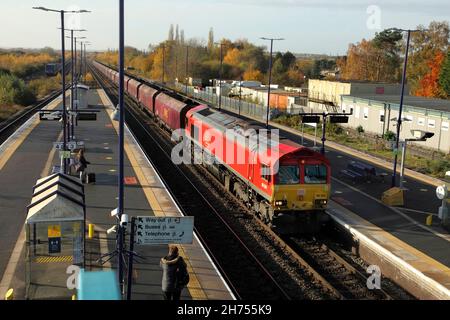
x: 375, y: 107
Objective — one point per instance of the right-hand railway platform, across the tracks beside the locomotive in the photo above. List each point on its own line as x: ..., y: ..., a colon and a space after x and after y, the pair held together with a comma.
x: 397, y: 239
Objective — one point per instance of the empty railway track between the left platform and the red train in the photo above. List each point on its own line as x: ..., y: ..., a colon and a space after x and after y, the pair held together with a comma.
x: 213, y: 231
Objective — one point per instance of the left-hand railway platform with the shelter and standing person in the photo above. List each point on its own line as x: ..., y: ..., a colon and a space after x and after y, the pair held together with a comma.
x: 29, y: 155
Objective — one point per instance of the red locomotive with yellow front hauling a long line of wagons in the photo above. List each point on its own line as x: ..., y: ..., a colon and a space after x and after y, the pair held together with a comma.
x: 285, y: 184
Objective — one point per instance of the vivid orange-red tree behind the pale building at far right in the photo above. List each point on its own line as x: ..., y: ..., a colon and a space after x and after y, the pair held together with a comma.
x: 429, y: 85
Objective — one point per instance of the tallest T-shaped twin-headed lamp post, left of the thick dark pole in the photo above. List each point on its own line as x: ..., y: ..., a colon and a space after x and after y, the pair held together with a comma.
x: 63, y: 71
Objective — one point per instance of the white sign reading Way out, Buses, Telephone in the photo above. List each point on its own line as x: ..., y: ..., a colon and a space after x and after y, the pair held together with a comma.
x: 164, y: 230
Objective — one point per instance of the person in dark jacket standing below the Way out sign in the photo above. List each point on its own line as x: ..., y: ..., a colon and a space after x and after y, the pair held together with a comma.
x: 171, y: 264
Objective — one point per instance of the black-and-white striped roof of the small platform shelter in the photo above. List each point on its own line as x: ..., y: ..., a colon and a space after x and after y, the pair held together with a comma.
x: 57, y: 198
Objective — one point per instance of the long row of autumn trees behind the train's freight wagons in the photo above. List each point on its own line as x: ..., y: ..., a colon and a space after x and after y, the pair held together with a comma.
x: 240, y: 59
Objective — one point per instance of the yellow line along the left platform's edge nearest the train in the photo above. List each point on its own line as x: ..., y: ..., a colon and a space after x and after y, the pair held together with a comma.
x: 195, y: 289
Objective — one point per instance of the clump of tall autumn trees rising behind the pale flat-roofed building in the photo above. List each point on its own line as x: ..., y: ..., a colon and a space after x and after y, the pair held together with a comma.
x: 380, y: 59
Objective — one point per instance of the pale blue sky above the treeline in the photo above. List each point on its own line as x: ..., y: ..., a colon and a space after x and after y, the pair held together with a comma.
x: 311, y: 26
